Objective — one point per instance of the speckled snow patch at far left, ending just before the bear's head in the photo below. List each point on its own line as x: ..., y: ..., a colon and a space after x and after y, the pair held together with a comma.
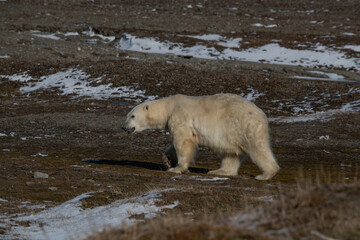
x: 77, y: 83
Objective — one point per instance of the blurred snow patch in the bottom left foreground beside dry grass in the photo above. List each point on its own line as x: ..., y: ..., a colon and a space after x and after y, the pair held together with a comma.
x: 69, y: 220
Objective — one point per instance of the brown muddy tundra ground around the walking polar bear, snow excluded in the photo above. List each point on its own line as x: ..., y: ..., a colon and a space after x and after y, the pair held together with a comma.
x: 79, y: 141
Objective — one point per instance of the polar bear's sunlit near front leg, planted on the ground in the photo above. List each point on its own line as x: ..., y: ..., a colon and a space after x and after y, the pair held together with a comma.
x: 185, y: 150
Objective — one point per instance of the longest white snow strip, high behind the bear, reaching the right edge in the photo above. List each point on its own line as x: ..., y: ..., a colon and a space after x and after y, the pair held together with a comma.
x: 271, y: 53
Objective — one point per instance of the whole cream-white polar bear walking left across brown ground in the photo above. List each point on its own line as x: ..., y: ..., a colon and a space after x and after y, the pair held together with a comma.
x: 226, y: 123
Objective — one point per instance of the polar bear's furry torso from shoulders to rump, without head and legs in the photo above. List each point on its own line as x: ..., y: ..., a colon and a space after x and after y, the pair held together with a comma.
x: 225, y: 122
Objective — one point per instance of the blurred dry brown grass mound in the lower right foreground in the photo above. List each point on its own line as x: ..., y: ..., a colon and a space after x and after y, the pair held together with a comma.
x: 322, y: 211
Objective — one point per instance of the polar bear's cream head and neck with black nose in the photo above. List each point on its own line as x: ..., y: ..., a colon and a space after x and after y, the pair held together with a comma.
x: 148, y: 115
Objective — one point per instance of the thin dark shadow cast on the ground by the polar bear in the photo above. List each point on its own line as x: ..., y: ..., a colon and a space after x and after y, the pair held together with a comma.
x: 146, y: 165
